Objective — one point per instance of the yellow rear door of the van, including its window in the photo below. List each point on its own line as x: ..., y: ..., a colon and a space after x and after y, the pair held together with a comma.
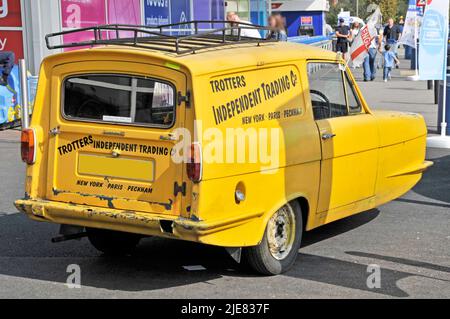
x: 110, y: 140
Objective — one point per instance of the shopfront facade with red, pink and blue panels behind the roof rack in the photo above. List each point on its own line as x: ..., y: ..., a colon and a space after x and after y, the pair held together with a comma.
x: 24, y: 23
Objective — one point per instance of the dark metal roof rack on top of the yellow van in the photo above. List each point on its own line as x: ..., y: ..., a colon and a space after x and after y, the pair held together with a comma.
x: 178, y: 38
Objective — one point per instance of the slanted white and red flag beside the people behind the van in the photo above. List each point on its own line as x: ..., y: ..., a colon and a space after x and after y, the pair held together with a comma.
x: 360, y: 47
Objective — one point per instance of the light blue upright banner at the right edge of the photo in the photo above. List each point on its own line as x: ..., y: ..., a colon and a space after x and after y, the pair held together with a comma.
x: 434, y: 41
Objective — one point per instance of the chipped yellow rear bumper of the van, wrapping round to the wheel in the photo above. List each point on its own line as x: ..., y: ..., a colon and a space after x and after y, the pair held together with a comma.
x: 219, y: 233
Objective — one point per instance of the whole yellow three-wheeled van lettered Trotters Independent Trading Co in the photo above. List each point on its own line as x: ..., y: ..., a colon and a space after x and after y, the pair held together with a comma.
x: 212, y: 138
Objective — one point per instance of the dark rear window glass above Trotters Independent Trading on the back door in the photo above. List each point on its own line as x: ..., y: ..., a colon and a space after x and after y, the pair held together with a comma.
x: 119, y: 99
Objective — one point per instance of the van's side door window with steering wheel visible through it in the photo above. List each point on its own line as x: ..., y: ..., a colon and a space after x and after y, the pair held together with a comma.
x: 326, y: 82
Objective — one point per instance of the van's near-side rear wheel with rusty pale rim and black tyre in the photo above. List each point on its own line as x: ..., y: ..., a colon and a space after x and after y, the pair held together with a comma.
x: 279, y: 248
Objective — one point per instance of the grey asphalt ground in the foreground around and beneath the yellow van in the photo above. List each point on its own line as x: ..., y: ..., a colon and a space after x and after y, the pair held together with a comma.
x: 409, y: 240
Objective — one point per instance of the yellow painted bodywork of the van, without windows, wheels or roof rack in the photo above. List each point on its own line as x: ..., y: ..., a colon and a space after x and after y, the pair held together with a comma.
x: 375, y: 158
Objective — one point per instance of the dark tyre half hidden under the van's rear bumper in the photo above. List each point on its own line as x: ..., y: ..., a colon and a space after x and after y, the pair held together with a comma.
x: 111, y: 242
